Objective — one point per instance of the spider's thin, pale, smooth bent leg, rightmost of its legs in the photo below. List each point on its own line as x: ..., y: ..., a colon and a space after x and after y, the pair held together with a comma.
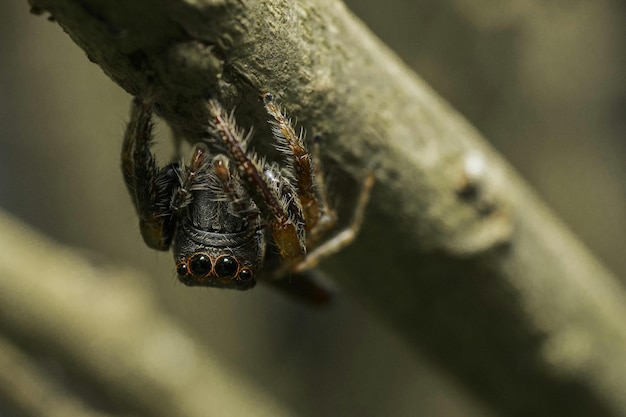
x: 346, y: 236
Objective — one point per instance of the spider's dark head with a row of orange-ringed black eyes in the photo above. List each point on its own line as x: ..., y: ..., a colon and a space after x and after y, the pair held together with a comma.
x: 214, y: 259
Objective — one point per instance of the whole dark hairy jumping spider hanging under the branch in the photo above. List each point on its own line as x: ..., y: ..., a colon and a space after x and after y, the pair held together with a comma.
x: 220, y: 212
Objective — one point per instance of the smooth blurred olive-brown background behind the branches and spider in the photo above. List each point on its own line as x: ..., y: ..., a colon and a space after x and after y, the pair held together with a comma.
x: 543, y: 81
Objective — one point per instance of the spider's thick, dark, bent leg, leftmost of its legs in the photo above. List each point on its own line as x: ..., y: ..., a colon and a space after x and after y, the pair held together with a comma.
x: 149, y: 187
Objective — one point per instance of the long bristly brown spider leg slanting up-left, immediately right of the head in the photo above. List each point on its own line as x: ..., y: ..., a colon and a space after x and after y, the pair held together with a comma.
x: 272, y: 193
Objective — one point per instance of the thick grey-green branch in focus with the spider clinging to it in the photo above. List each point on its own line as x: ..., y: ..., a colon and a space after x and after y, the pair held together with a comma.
x: 456, y: 253
